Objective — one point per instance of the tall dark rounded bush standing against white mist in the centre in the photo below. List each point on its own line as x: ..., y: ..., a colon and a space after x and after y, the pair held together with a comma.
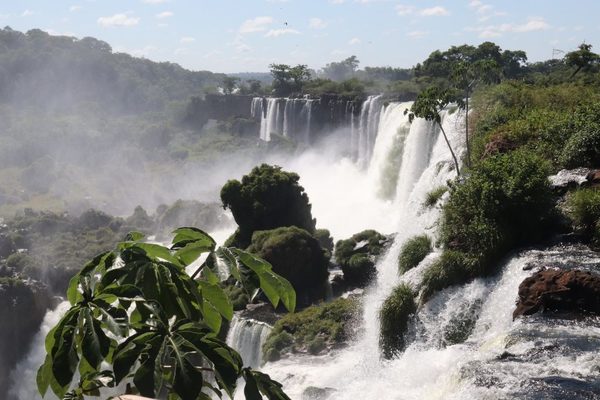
x: 267, y: 198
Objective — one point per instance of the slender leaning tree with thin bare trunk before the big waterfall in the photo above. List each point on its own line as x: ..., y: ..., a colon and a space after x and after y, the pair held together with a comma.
x: 428, y: 105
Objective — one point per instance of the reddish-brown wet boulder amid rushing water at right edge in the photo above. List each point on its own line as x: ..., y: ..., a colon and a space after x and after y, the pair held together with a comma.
x: 571, y: 291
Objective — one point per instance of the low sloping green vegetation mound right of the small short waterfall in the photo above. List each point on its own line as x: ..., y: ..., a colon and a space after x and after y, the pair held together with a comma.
x: 313, y: 329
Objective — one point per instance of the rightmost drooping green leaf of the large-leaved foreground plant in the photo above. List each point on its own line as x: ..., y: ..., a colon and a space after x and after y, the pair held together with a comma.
x: 275, y: 287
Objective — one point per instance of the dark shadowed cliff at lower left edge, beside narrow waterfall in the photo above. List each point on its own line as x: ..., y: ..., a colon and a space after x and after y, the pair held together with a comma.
x: 24, y: 305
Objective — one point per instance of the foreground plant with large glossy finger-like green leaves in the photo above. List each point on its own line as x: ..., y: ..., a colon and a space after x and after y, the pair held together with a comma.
x: 136, y: 310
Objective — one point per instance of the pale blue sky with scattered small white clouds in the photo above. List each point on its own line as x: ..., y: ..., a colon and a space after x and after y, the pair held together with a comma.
x: 248, y: 35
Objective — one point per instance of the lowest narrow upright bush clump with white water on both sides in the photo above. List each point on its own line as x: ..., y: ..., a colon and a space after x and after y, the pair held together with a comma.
x: 393, y: 319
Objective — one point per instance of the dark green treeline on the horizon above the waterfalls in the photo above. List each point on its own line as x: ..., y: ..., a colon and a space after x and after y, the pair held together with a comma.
x: 347, y: 79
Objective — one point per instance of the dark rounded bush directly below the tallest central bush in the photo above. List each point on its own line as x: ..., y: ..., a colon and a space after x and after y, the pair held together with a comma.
x: 295, y: 255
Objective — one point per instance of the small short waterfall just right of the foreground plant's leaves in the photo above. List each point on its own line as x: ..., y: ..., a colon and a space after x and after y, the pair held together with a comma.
x: 247, y: 337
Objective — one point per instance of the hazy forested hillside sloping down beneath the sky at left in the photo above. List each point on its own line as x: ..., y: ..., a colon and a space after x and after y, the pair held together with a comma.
x: 65, y: 73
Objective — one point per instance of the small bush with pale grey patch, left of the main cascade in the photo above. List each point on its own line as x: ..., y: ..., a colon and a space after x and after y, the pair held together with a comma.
x: 357, y: 256
